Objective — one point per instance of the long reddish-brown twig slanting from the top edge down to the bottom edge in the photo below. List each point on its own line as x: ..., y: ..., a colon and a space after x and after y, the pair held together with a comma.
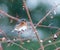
x: 36, y: 33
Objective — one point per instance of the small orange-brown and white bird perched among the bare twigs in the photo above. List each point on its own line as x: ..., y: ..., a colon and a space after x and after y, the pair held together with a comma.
x: 22, y: 26
